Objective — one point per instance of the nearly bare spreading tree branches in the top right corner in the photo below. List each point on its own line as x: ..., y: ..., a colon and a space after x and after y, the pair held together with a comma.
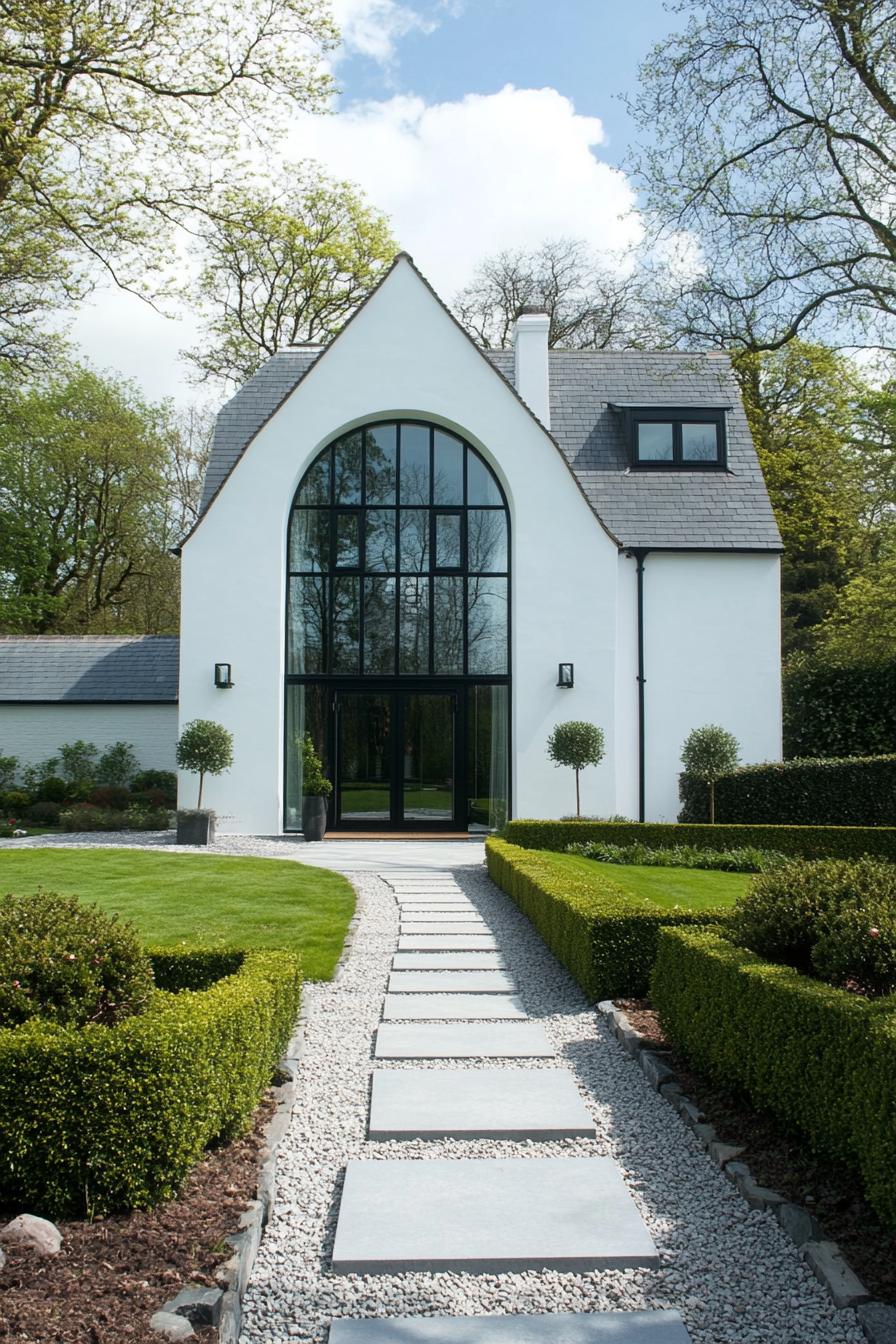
x: 772, y: 135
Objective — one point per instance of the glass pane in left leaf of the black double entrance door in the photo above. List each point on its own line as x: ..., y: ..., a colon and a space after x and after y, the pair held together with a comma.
x: 365, y: 732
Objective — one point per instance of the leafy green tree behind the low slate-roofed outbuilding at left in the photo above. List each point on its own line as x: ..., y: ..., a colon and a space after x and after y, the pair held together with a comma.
x: 91, y: 503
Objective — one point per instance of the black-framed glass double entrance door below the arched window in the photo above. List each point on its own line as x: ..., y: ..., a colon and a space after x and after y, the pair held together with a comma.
x: 397, y: 761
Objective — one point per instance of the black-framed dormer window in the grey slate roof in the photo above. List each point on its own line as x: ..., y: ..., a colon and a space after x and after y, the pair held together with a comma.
x: 678, y: 439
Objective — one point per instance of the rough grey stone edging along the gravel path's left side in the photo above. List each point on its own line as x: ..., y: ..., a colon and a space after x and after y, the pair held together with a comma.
x: 222, y: 1307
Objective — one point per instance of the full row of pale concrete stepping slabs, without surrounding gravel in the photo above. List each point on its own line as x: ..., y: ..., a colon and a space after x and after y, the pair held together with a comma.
x: 480, y: 1216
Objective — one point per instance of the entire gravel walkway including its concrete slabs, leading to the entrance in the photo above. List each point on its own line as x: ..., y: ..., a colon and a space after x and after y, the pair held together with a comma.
x: 474, y: 1161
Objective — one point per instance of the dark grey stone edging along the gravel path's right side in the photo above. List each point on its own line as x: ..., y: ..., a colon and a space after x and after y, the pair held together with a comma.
x: 825, y: 1259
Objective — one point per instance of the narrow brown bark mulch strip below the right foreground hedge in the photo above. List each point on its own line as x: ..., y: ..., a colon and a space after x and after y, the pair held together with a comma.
x: 784, y: 1163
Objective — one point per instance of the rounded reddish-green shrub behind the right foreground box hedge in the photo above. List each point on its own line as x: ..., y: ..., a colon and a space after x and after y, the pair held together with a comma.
x: 815, y: 916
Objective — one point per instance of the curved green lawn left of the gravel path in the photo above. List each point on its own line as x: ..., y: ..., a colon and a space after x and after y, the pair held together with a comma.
x: 198, y: 900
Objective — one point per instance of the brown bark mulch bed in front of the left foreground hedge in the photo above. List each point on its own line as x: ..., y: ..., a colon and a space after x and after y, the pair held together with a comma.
x: 112, y: 1275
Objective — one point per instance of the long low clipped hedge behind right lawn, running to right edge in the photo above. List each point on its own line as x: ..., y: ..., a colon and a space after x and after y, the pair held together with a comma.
x: 800, y: 842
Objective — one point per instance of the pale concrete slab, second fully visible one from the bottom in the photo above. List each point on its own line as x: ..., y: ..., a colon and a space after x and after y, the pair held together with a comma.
x: 541, y: 1104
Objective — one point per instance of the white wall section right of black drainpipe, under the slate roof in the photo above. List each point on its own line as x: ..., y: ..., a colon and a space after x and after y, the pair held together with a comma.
x: 713, y: 655
